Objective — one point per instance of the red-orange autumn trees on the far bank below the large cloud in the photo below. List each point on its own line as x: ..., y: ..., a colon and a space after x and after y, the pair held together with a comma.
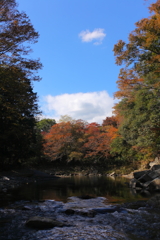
x: 77, y: 140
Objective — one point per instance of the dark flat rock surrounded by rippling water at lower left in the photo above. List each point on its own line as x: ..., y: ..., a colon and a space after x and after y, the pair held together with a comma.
x: 43, y: 223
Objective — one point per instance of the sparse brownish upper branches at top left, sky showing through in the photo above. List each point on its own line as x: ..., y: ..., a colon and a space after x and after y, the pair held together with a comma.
x: 16, y: 31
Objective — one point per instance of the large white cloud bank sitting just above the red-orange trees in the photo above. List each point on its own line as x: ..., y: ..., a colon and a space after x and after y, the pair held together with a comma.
x: 91, y: 107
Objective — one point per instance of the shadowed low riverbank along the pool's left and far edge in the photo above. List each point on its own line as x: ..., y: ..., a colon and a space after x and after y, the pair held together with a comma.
x: 12, y: 179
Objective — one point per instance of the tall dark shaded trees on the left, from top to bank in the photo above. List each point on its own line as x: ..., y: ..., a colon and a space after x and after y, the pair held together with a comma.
x: 18, y: 102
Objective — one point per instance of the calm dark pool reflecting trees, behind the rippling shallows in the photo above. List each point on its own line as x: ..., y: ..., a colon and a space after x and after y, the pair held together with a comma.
x: 59, y: 189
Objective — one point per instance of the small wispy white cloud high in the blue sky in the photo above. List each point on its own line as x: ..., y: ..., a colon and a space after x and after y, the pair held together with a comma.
x: 97, y: 35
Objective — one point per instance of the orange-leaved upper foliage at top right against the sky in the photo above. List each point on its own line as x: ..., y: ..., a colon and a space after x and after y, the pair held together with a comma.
x: 142, y: 52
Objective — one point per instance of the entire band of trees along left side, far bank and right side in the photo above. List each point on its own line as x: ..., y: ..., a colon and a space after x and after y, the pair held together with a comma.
x: 130, y: 136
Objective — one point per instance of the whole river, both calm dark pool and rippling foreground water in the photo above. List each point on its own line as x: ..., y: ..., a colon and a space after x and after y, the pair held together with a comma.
x: 87, y: 207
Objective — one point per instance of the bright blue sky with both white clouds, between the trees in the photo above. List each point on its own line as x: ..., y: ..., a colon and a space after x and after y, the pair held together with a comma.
x: 76, y: 49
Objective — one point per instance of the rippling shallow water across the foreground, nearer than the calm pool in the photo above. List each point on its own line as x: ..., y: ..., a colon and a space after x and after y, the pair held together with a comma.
x: 73, y: 220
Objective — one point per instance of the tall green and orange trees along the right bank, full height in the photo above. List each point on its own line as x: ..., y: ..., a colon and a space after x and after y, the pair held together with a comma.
x: 139, y: 88
